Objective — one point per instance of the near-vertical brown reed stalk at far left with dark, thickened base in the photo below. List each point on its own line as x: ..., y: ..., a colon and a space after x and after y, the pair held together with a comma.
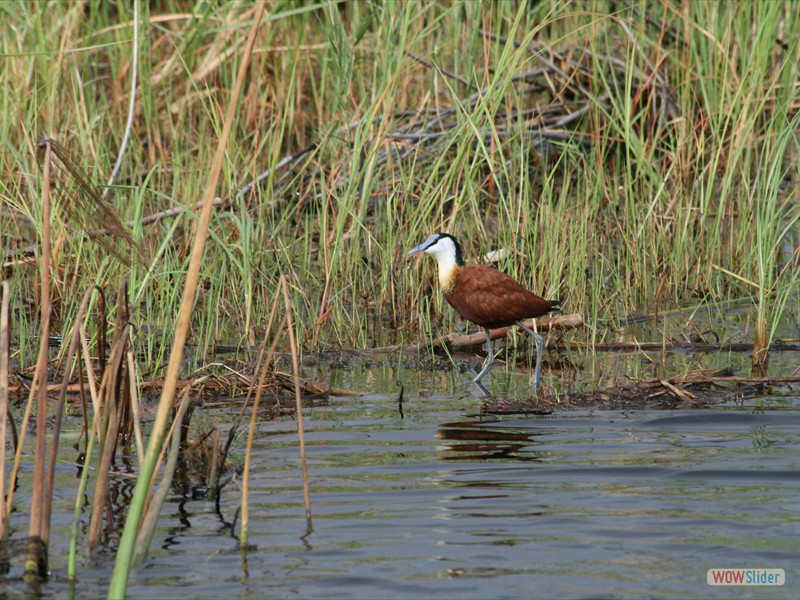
x: 36, y: 560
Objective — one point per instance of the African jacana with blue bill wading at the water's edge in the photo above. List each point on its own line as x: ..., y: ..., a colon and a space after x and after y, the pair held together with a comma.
x: 487, y: 297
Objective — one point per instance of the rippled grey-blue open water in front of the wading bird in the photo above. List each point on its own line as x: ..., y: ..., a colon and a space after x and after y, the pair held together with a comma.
x: 439, y: 504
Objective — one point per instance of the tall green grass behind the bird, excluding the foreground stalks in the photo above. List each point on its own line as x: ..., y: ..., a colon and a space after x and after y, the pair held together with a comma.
x: 680, y: 113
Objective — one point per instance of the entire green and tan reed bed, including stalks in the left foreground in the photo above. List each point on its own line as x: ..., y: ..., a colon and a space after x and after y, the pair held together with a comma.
x: 629, y: 159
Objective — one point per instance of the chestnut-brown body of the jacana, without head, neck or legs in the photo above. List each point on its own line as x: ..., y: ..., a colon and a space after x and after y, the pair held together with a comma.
x: 490, y: 298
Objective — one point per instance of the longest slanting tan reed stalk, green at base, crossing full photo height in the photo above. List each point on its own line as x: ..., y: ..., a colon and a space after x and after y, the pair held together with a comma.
x: 122, y: 565
